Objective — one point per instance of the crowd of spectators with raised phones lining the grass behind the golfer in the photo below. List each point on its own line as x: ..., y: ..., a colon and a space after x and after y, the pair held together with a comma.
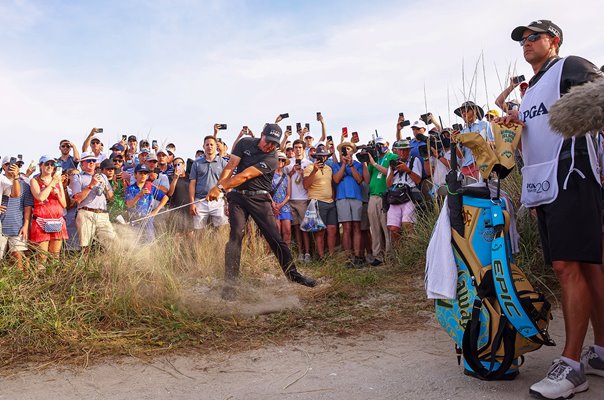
x: 74, y: 200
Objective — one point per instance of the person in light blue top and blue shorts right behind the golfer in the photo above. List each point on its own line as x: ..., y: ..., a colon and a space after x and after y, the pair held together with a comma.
x: 280, y: 193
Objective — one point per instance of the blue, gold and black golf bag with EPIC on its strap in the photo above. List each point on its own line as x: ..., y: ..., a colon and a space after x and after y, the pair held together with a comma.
x: 497, y: 316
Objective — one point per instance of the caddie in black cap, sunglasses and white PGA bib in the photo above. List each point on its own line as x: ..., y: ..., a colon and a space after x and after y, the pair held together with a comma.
x: 569, y: 211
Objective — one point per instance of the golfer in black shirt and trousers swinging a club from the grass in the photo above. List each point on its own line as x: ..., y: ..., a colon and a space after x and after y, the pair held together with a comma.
x: 255, y: 160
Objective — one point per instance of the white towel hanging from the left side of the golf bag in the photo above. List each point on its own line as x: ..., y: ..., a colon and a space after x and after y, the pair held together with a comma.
x: 441, y: 271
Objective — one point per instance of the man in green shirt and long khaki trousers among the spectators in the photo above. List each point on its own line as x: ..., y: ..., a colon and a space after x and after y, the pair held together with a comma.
x: 375, y: 175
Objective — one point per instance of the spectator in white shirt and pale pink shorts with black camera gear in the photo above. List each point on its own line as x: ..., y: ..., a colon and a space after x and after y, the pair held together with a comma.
x: 404, y: 174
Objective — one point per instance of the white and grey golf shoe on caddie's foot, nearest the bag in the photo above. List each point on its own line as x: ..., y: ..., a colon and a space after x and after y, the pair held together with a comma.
x: 561, y: 382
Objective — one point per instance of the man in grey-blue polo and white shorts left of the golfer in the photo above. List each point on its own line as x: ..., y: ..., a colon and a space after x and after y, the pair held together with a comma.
x: 205, y: 173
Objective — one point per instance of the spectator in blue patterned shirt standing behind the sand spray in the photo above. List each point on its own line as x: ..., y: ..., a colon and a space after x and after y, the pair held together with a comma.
x: 139, y: 200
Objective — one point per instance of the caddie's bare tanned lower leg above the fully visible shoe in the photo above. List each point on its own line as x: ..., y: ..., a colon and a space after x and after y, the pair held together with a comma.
x: 576, y: 305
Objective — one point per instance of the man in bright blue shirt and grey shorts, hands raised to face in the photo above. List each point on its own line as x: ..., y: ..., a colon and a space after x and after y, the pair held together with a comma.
x: 348, y: 175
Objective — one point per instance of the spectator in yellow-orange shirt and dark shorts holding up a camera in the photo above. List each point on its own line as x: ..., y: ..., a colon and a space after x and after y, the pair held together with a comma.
x: 318, y: 181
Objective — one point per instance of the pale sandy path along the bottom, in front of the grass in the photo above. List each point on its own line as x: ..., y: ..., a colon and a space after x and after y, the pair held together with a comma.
x: 386, y: 365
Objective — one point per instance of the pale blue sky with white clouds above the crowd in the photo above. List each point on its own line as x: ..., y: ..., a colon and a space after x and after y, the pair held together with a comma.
x: 173, y: 68
